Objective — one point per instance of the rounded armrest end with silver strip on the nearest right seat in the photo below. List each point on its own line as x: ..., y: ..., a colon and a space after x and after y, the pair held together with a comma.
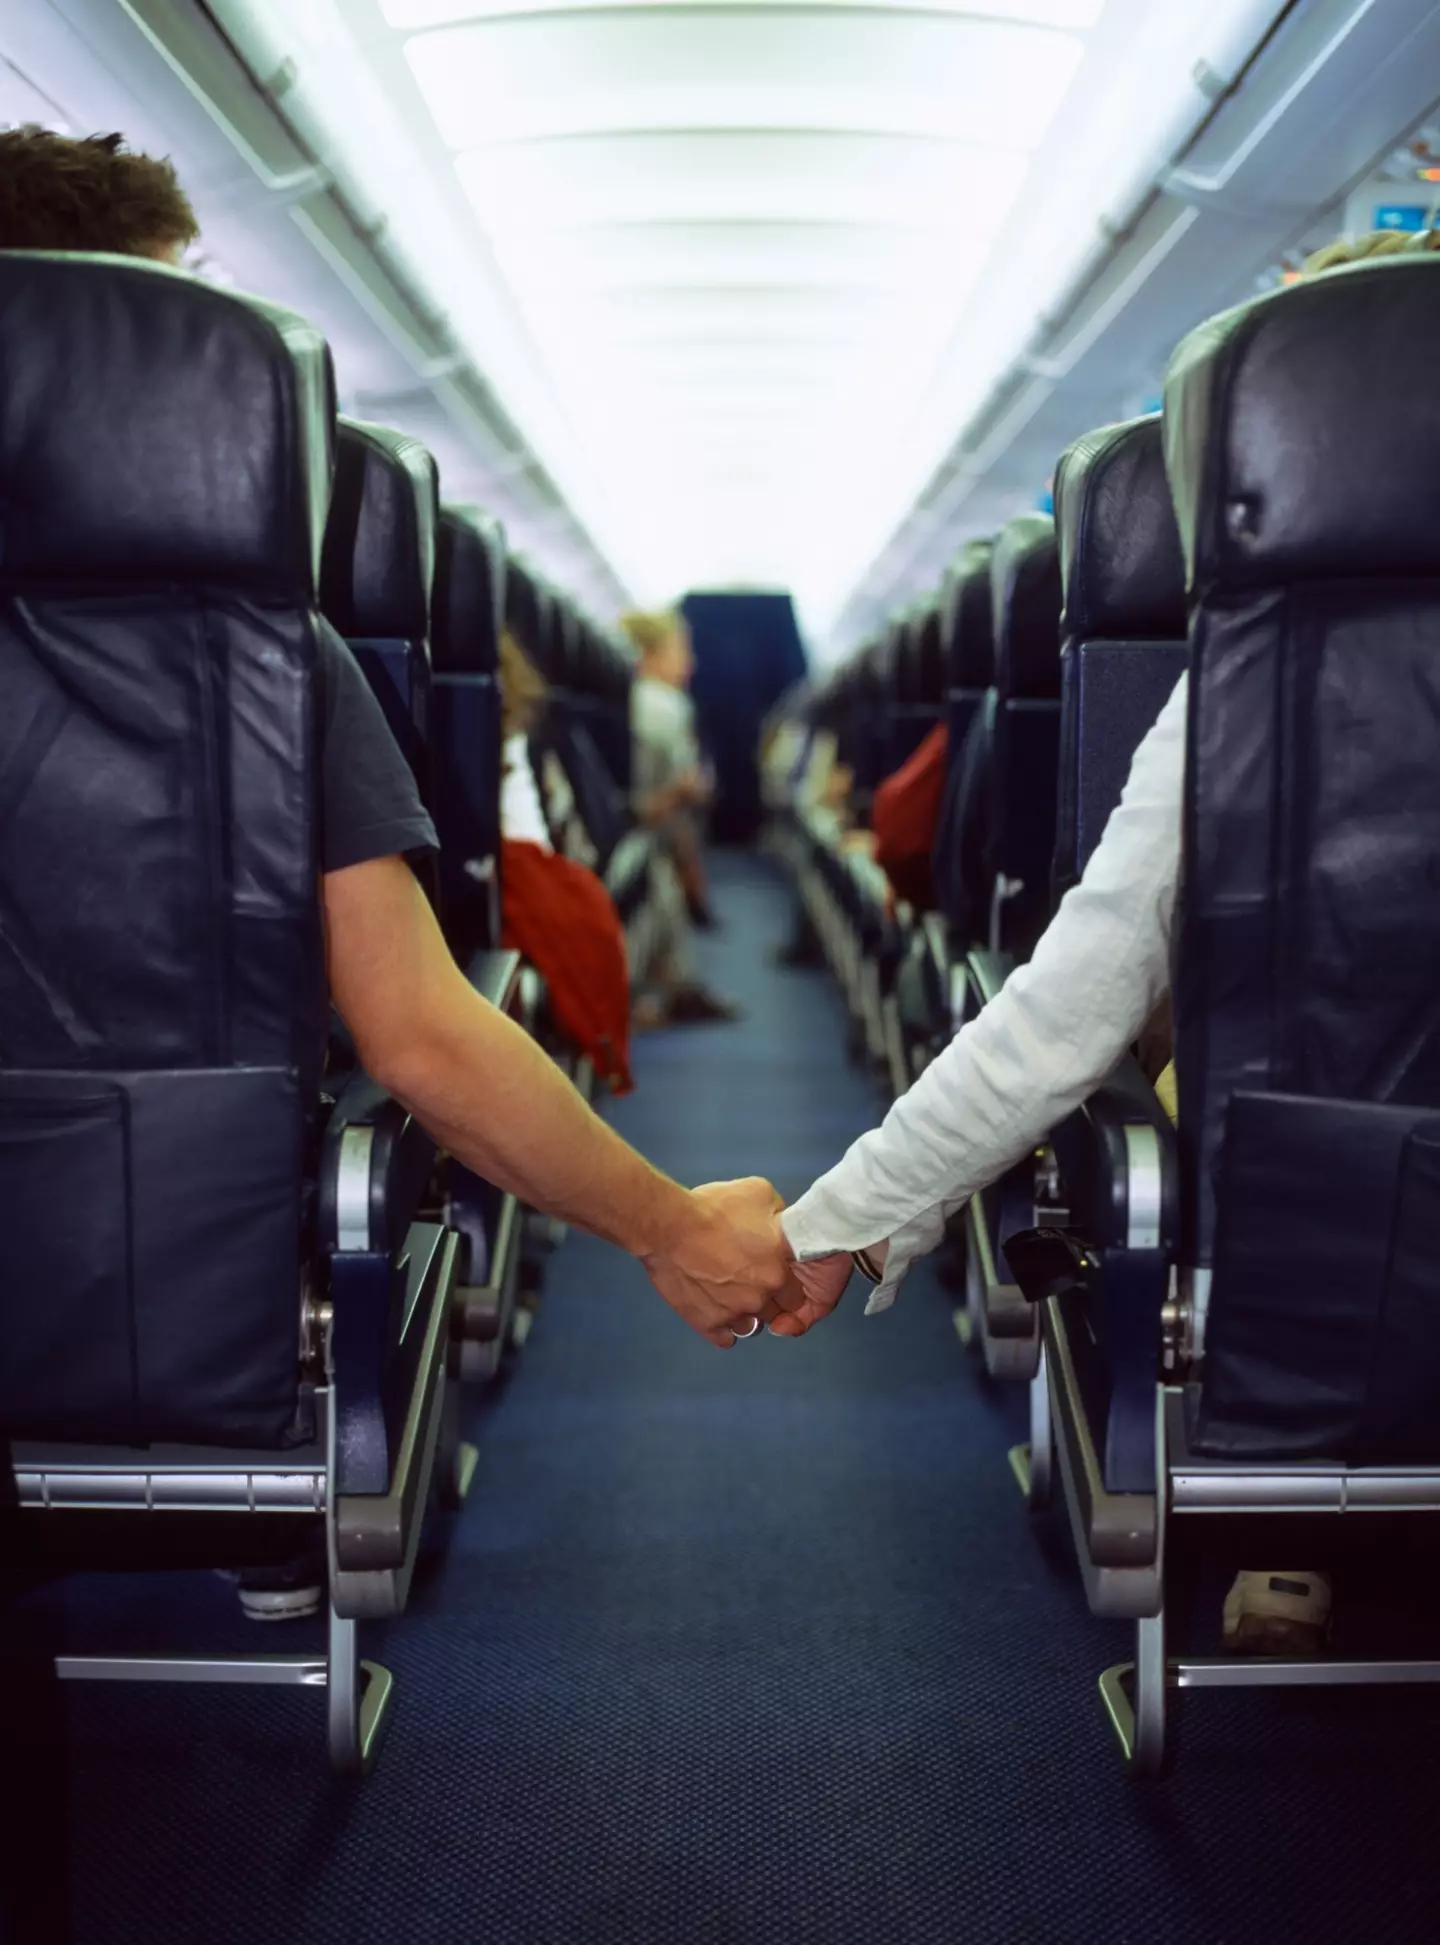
x: 1122, y: 1166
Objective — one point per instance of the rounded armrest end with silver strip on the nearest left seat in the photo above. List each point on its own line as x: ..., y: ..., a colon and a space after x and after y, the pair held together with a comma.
x: 375, y: 1166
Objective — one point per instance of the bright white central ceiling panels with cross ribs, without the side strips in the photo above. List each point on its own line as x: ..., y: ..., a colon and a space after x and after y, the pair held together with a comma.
x: 742, y: 236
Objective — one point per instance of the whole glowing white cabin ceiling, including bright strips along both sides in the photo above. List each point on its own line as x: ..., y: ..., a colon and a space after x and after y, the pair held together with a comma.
x: 744, y: 244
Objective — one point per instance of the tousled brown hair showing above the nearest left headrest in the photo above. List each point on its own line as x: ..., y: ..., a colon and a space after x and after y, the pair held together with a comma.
x: 94, y: 194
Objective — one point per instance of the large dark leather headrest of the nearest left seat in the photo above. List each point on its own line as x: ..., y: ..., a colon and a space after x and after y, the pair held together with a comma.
x: 159, y: 429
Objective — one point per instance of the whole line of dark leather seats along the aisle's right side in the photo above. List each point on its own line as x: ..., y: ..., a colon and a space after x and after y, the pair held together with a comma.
x: 1227, y: 1324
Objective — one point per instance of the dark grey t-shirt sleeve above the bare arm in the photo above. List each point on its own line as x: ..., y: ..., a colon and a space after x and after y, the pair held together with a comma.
x: 371, y: 798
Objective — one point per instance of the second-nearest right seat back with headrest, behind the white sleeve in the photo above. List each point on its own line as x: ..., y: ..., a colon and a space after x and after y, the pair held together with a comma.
x: 1122, y: 629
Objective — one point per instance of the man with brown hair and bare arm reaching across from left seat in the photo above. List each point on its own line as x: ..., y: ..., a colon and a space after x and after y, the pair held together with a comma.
x: 472, y: 1077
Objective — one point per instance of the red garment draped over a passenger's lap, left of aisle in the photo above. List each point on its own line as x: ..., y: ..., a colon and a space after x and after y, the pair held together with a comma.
x: 565, y: 923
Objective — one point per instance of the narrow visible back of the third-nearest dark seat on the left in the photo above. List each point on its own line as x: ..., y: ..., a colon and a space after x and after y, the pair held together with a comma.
x: 466, y: 619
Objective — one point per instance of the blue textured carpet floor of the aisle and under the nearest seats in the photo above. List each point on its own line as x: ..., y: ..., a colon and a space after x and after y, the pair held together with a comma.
x: 727, y: 1650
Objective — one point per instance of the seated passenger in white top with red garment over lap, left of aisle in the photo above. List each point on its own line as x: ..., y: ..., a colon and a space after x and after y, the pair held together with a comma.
x: 554, y: 909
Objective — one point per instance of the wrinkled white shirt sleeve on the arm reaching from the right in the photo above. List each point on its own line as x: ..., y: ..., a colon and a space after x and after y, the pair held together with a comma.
x: 1050, y: 1038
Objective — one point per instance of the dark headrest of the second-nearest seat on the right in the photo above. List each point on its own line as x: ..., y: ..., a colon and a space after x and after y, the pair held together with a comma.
x: 1120, y: 548
